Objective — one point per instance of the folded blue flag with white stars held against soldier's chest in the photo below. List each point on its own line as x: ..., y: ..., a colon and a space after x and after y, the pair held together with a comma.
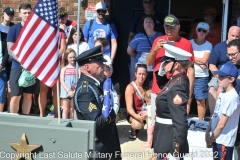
x: 107, y: 100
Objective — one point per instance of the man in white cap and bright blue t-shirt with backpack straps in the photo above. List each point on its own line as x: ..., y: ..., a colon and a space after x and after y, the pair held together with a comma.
x: 100, y: 27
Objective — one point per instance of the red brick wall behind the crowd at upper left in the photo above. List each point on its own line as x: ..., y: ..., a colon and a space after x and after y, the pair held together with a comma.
x: 71, y: 5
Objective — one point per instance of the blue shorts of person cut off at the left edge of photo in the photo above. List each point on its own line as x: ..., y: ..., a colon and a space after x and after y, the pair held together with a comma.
x: 3, y: 86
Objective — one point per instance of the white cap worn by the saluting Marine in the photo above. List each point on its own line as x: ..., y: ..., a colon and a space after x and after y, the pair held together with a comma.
x: 175, y: 52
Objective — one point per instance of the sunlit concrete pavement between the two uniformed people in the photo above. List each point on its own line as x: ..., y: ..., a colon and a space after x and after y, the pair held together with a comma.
x: 132, y: 149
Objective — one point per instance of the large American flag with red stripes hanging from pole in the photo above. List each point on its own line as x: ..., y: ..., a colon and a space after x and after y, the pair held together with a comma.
x: 38, y: 42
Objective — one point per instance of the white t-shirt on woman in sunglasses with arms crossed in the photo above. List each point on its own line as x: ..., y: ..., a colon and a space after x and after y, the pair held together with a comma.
x: 199, y: 51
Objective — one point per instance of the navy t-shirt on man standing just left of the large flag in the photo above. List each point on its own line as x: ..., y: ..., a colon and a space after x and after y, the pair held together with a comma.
x: 12, y: 37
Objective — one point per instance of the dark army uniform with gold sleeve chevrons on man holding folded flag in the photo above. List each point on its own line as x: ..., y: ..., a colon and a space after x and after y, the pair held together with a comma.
x: 88, y: 106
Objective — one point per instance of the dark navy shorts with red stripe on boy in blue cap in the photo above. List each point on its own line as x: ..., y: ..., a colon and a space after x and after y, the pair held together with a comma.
x: 221, y: 152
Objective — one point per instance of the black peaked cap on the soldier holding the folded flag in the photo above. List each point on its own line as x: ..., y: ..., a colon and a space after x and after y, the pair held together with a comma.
x: 92, y: 55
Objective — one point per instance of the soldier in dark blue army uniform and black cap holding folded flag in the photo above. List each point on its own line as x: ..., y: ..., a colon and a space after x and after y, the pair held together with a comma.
x: 88, y: 103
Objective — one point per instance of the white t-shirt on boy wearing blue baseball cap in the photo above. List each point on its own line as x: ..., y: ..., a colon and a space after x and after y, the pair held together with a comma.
x: 228, y: 104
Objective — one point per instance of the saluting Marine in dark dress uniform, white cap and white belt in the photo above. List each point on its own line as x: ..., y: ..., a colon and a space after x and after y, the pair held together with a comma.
x: 170, y: 134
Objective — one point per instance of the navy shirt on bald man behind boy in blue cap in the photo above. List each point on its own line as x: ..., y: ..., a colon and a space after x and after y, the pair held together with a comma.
x: 218, y: 54
